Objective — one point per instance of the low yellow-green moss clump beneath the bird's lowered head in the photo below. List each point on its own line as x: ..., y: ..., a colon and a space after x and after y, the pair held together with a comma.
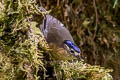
x: 80, y: 70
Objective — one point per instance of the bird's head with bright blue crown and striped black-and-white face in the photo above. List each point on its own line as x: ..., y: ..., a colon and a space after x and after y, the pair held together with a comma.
x: 72, y: 48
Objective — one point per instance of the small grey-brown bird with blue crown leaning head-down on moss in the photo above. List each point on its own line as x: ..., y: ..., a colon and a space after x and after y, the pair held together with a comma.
x: 59, y: 38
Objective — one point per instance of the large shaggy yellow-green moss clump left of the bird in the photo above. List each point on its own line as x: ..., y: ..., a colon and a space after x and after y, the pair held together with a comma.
x: 20, y: 57
